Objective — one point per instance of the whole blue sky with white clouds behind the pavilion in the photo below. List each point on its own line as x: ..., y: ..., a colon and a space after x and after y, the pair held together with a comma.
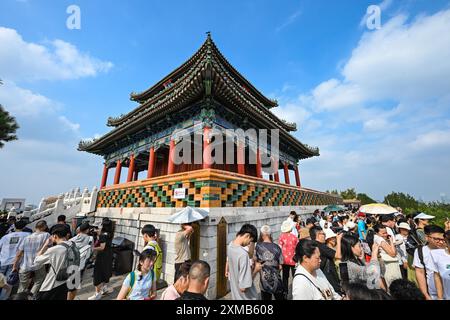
x: 377, y: 103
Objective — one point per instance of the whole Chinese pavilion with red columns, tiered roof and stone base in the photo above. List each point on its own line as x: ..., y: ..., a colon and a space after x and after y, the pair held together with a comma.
x: 204, y: 94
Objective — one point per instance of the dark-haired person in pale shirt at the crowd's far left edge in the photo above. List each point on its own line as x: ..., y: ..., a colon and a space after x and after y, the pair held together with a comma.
x: 9, y: 245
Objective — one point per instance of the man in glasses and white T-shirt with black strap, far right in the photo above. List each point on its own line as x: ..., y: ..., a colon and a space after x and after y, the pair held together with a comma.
x: 427, y: 278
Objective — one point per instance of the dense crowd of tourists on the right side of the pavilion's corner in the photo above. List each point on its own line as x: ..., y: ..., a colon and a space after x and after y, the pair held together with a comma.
x: 343, y: 255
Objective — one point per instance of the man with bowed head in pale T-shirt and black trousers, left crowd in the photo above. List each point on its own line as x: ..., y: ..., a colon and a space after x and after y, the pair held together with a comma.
x: 55, y: 256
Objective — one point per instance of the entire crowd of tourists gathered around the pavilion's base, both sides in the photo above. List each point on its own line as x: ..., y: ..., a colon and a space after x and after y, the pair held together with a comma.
x: 329, y: 256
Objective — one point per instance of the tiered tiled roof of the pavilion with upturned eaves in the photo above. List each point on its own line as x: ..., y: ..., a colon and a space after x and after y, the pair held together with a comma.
x: 189, y: 83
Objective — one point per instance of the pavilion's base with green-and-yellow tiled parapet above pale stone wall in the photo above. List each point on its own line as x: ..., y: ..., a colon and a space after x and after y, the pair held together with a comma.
x: 231, y: 200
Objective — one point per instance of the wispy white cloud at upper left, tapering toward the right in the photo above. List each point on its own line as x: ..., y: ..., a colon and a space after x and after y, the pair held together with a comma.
x: 54, y: 60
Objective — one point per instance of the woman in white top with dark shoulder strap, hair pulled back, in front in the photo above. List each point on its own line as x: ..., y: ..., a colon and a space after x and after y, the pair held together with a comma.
x: 309, y: 281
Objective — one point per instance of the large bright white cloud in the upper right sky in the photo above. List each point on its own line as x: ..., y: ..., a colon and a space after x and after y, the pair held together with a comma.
x: 402, y: 62
